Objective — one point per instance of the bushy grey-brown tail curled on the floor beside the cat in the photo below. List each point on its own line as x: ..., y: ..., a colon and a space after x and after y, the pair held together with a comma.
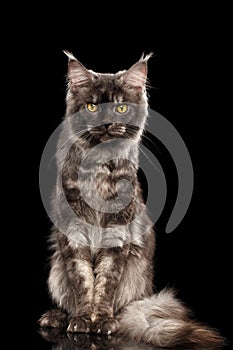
x: 164, y: 321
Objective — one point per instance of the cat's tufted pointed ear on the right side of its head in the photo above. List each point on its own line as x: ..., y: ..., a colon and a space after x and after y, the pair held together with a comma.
x: 136, y: 76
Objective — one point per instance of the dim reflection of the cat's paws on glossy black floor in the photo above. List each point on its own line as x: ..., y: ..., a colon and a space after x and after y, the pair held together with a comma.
x: 61, y: 340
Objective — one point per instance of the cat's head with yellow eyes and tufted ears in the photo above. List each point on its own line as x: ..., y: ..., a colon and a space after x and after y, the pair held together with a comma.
x: 106, y: 106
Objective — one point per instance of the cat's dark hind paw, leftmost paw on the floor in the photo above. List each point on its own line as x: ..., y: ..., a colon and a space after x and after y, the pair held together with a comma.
x: 53, y: 318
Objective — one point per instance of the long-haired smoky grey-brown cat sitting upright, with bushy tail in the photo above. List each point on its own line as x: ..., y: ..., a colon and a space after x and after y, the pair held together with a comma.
x: 101, y: 274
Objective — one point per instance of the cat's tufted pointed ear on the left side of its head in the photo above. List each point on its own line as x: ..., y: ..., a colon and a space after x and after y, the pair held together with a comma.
x: 78, y: 75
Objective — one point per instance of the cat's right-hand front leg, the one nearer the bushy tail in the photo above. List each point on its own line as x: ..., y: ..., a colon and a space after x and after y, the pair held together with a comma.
x: 108, y: 270
